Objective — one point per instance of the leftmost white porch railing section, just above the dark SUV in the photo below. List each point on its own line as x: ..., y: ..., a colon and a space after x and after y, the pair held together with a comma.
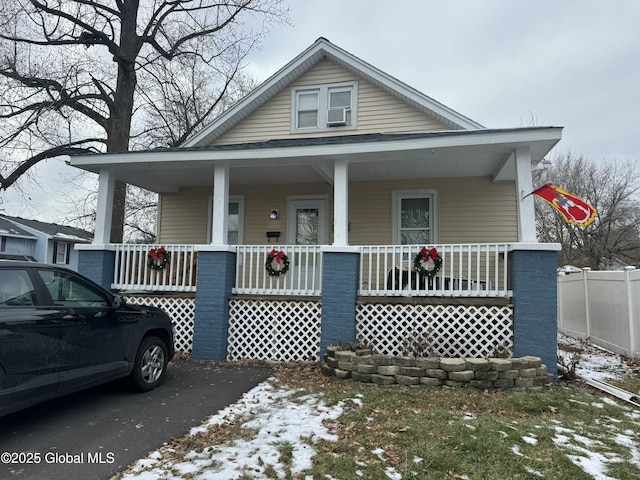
x: 133, y: 273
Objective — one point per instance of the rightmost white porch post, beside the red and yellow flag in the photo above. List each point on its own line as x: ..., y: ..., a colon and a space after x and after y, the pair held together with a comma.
x: 524, y: 186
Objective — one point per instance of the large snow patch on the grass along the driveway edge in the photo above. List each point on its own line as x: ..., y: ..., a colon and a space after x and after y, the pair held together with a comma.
x: 282, y: 421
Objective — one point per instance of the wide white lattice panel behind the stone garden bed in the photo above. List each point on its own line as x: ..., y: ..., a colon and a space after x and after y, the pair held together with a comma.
x: 450, y: 330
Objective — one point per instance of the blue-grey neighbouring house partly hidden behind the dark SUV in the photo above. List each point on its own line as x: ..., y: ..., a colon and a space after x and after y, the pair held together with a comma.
x: 24, y: 239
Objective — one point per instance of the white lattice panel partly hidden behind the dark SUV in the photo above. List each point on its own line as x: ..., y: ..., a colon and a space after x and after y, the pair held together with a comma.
x: 180, y: 309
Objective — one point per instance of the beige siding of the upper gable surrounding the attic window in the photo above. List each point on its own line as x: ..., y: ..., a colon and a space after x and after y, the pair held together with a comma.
x: 378, y: 111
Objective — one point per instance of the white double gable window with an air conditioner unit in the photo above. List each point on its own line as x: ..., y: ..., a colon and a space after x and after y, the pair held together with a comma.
x: 324, y: 107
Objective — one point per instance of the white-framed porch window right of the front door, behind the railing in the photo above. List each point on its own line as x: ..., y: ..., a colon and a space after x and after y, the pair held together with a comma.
x: 414, y: 217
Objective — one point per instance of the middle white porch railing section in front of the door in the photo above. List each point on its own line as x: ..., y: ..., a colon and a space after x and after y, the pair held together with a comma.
x: 303, y: 278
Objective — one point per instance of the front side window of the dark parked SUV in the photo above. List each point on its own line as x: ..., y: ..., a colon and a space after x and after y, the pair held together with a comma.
x: 71, y: 291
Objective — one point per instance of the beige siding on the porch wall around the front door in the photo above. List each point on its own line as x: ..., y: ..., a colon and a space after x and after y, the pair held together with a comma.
x: 470, y: 210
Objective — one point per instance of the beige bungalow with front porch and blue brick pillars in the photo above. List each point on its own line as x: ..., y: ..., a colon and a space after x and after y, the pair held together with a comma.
x: 335, y: 203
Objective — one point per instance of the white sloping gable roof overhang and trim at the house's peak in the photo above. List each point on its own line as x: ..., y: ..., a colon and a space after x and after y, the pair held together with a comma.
x: 323, y: 49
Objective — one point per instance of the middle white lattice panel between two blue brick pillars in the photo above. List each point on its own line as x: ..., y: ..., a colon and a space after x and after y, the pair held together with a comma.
x: 286, y: 331
